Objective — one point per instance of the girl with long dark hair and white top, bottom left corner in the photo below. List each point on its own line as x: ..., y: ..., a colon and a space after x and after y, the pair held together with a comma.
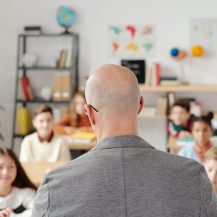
x: 17, y: 192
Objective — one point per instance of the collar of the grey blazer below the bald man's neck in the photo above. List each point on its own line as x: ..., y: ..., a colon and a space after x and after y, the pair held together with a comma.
x: 129, y: 141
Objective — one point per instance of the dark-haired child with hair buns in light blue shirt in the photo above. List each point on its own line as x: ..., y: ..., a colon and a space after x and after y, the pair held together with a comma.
x: 201, y: 133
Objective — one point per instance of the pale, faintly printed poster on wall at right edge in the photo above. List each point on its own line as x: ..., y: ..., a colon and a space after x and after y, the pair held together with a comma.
x: 204, y: 33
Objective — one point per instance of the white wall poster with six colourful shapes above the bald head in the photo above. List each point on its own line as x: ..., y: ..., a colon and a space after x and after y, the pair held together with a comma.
x: 132, y: 41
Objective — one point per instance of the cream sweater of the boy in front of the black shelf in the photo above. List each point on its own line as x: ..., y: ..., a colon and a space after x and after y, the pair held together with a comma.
x: 32, y: 149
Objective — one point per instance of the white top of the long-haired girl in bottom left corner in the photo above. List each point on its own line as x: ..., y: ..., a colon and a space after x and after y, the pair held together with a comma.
x: 18, y: 197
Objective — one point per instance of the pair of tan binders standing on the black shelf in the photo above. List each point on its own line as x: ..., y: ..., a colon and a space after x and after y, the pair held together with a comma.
x: 61, y: 86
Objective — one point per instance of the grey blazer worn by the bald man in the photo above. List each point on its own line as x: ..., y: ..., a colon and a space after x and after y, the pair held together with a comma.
x: 124, y: 176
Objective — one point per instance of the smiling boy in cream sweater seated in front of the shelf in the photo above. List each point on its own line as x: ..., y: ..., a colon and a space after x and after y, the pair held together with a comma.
x: 44, y: 144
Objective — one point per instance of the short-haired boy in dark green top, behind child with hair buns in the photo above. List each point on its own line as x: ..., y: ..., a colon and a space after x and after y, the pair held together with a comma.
x: 179, y: 124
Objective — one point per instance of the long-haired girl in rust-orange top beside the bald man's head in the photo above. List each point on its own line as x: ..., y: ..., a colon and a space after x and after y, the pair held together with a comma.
x: 75, y: 120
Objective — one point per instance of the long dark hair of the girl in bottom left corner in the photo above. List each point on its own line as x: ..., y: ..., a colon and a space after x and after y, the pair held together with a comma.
x: 21, y: 180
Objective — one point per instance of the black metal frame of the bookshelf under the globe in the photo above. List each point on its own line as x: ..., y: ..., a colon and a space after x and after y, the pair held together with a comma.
x: 22, y: 45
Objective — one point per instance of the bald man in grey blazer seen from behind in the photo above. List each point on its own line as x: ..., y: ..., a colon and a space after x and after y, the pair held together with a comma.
x: 123, y: 176
